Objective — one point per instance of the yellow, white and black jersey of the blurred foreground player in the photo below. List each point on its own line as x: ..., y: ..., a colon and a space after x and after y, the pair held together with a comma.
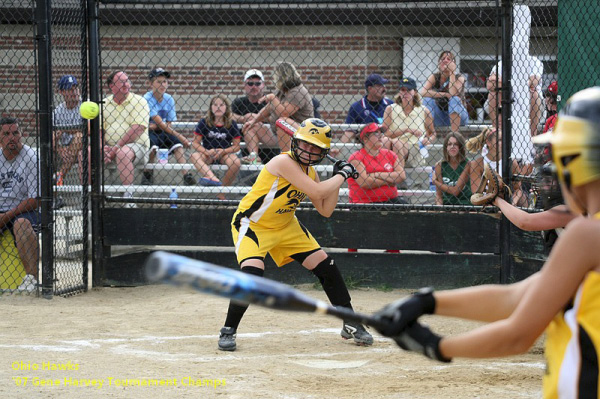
x: 573, y: 345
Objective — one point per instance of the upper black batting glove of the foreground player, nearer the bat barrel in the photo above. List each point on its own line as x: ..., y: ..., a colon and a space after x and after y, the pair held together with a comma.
x: 399, y: 314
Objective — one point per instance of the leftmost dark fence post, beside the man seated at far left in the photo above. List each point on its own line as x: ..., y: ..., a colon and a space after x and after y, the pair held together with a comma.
x: 44, y: 64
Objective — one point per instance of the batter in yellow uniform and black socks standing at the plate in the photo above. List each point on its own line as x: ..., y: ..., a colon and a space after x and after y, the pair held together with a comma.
x: 265, y: 222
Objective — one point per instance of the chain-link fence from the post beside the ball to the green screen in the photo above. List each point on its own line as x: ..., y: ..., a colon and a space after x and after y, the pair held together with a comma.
x: 218, y: 76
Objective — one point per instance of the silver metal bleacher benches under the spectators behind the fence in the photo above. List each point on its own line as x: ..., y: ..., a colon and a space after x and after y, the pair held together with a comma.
x: 167, y: 176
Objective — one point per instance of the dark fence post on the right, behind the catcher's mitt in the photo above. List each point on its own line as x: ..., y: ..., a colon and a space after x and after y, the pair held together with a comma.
x: 505, y: 260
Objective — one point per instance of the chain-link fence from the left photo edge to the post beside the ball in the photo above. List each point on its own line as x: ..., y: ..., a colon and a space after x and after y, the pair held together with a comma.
x: 26, y: 43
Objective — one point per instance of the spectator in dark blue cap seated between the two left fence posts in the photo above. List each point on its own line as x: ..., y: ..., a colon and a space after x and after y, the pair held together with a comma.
x: 67, y: 124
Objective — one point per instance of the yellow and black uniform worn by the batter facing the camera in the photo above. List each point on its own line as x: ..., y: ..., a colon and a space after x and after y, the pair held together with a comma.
x: 265, y: 221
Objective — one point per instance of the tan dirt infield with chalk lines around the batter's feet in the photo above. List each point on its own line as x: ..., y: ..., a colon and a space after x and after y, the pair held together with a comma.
x: 160, y: 341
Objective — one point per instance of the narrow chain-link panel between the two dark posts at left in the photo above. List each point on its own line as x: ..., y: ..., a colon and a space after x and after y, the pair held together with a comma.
x: 69, y: 77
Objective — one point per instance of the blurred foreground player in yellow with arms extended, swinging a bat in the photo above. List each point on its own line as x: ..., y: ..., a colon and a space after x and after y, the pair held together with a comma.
x: 563, y: 297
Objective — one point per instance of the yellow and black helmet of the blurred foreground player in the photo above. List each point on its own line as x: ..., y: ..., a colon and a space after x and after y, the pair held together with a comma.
x: 575, y: 140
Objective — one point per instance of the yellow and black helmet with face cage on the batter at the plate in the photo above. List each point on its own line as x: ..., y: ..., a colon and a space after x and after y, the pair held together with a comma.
x: 316, y: 132
